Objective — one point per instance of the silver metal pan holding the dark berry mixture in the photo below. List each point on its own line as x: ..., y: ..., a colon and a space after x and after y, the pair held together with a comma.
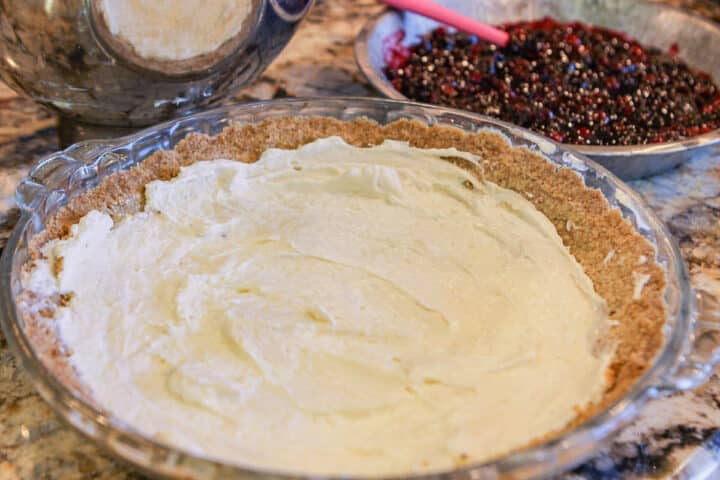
x: 652, y: 23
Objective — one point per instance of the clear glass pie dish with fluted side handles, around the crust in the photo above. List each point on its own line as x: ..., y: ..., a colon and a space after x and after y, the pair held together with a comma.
x: 690, y: 350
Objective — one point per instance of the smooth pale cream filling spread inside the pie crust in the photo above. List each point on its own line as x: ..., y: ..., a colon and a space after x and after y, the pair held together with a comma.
x: 331, y: 309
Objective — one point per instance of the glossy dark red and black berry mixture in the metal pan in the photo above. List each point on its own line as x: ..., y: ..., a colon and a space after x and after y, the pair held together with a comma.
x: 572, y: 82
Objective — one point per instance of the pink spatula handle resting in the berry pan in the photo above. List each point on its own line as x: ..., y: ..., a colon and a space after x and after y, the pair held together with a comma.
x: 442, y: 14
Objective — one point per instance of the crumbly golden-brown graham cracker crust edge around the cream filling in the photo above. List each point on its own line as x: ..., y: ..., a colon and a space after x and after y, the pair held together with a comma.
x: 606, y: 246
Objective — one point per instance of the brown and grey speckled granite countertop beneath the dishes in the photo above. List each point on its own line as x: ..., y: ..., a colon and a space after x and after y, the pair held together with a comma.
x: 677, y: 436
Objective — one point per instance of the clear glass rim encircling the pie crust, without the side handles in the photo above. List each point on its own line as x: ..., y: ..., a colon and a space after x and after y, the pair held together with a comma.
x: 120, y: 438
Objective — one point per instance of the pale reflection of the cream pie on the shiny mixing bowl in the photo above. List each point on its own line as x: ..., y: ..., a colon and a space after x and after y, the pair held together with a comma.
x: 174, y: 29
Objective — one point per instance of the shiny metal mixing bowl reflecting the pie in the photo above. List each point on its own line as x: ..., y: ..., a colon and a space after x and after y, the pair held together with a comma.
x: 107, y: 67
